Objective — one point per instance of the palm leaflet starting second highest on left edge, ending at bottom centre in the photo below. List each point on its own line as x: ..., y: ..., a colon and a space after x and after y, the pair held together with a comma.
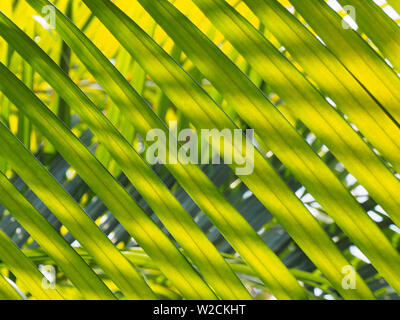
x: 109, y: 190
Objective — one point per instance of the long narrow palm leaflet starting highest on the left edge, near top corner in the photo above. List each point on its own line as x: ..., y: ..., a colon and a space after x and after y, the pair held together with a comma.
x: 178, y: 222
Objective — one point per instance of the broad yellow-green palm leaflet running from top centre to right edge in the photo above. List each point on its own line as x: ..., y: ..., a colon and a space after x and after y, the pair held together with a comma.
x: 307, y: 104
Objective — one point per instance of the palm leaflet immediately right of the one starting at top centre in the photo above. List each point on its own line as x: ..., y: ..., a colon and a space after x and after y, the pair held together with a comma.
x: 332, y: 77
